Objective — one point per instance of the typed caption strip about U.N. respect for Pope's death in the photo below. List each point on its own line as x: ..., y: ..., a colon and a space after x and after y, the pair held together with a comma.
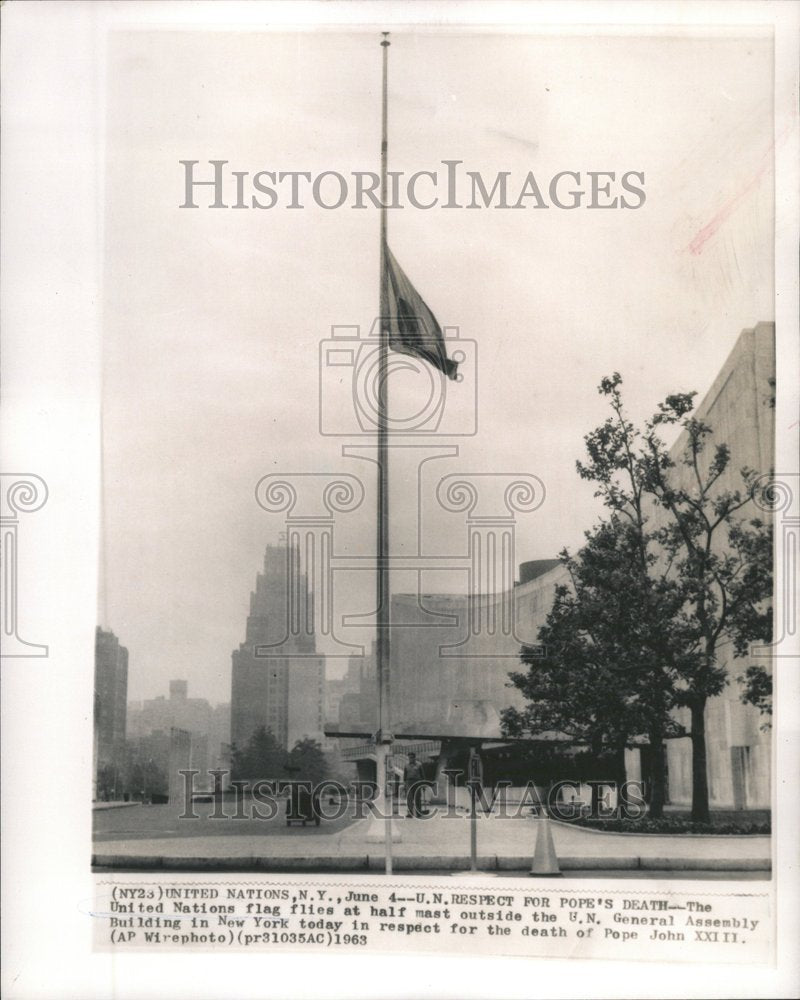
x: 536, y: 920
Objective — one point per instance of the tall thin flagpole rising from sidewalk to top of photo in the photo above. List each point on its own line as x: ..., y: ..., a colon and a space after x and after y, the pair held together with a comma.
x: 383, y: 582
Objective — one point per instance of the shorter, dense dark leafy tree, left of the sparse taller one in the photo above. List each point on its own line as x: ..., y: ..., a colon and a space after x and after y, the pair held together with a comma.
x: 601, y: 679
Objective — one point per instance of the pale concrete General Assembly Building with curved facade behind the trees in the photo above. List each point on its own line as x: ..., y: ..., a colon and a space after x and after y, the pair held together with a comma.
x: 450, y: 660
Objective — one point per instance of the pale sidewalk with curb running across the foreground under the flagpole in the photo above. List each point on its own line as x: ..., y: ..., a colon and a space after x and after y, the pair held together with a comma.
x: 443, y: 844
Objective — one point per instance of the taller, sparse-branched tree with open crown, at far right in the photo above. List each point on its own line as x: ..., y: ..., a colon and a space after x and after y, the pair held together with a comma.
x: 718, y: 565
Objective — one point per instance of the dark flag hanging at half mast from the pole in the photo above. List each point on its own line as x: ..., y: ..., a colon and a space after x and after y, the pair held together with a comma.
x: 412, y: 327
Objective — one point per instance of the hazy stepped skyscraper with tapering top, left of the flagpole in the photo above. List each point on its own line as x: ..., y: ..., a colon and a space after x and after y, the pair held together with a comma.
x: 277, y: 676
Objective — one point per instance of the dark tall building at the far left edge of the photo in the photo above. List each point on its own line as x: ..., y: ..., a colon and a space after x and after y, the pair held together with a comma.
x: 111, y: 697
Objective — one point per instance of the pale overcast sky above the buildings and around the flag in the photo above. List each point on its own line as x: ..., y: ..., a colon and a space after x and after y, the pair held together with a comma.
x: 213, y: 319
